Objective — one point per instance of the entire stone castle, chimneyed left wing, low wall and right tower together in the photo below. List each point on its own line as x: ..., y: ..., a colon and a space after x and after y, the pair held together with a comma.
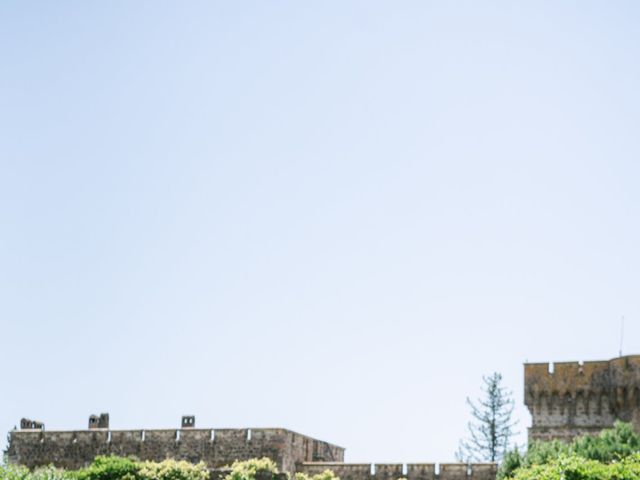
x: 564, y: 399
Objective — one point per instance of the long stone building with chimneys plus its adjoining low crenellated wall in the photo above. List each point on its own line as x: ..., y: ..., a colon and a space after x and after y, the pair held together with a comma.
x: 33, y: 446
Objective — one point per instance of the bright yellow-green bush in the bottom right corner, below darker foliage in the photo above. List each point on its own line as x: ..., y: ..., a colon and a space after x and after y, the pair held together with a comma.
x: 579, y: 468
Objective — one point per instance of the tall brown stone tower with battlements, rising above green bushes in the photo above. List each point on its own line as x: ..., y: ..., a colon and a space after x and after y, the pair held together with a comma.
x: 574, y: 398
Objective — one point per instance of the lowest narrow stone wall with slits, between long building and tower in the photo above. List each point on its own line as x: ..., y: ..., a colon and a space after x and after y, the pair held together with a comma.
x: 410, y: 471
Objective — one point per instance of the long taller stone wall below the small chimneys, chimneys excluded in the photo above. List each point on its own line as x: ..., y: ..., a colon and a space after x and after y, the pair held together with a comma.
x: 75, y: 449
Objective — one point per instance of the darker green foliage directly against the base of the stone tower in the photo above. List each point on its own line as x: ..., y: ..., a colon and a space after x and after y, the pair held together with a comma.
x: 609, y: 446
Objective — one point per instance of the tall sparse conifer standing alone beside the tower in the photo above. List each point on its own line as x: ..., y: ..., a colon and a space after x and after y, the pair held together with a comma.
x: 492, y: 428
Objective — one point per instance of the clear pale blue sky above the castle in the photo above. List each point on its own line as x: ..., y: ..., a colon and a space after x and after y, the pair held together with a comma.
x: 333, y: 217
